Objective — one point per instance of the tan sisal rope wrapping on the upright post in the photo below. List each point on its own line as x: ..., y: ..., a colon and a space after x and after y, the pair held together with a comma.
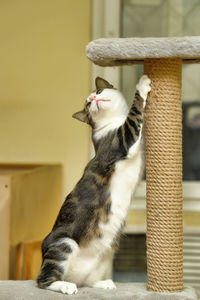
x: 163, y: 131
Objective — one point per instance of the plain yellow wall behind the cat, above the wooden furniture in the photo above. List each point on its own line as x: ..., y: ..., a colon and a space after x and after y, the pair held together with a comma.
x: 44, y: 79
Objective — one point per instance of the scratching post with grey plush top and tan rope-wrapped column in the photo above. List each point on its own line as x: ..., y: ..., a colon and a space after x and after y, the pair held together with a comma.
x: 162, y: 59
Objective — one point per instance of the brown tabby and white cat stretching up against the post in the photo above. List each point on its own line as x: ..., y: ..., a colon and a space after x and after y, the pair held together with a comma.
x: 81, y: 244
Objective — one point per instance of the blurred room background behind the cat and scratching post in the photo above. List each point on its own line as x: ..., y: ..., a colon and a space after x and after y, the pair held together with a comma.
x: 44, y: 78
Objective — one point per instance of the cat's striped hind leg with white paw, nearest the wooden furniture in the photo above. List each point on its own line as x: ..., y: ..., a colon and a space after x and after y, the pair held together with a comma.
x: 56, y: 260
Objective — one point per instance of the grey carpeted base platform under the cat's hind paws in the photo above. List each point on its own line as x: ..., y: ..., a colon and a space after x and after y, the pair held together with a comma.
x: 27, y: 290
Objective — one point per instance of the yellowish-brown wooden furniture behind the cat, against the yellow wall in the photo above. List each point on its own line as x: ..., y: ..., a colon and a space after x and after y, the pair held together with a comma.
x: 30, y: 198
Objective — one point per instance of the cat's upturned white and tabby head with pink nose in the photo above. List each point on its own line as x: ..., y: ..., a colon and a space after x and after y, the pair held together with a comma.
x: 103, y: 105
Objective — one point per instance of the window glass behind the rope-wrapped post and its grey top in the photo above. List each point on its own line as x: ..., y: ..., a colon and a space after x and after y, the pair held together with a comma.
x: 157, y: 18
